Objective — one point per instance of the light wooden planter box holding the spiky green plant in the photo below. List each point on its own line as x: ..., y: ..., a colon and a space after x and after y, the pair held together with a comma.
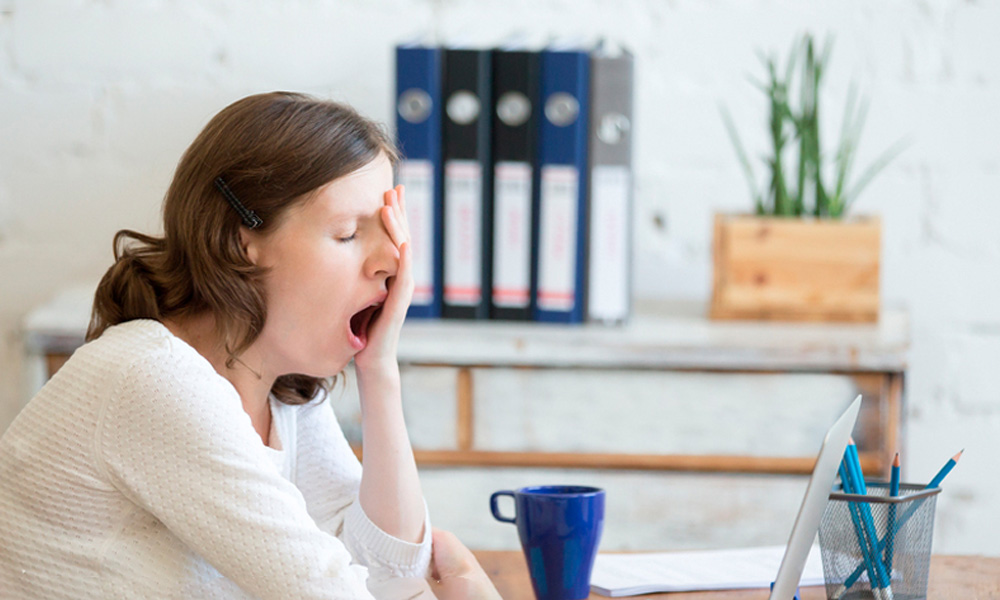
x: 796, y: 269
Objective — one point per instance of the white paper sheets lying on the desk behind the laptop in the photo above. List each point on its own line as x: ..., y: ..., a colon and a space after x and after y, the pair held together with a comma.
x: 630, y: 574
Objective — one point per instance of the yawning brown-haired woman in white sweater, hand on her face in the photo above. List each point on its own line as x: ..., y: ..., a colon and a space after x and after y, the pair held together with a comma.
x: 185, y: 450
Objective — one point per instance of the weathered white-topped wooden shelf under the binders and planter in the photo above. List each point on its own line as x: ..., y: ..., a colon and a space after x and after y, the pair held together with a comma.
x: 663, y: 337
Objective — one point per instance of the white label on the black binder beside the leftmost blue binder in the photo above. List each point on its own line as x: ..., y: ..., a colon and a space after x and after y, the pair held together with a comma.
x: 463, y: 205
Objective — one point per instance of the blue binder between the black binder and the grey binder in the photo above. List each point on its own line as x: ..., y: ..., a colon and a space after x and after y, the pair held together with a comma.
x: 563, y: 137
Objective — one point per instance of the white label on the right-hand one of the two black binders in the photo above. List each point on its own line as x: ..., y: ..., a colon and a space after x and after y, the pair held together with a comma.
x: 512, y: 234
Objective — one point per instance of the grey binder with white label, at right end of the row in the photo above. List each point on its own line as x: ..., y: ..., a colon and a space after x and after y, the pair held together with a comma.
x: 609, y: 268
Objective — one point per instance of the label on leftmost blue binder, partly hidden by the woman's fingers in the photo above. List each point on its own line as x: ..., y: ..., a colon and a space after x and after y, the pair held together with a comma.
x: 418, y: 177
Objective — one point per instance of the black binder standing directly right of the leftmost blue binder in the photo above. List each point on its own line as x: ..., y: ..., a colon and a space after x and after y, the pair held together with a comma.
x: 468, y: 208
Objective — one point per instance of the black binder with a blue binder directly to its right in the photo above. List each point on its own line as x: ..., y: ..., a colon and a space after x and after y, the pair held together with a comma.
x: 515, y: 127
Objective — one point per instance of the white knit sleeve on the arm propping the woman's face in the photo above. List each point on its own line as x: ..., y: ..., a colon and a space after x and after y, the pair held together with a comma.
x: 329, y: 475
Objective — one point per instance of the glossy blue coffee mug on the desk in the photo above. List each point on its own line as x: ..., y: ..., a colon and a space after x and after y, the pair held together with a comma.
x: 560, y: 528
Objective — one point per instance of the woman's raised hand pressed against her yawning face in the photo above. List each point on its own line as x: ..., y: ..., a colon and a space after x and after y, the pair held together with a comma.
x: 379, y: 355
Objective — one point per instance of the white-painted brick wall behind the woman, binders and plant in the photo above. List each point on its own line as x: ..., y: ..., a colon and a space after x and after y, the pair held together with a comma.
x: 98, y: 99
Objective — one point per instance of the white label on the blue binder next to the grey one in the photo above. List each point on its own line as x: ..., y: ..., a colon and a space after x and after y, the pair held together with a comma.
x: 558, y: 235
